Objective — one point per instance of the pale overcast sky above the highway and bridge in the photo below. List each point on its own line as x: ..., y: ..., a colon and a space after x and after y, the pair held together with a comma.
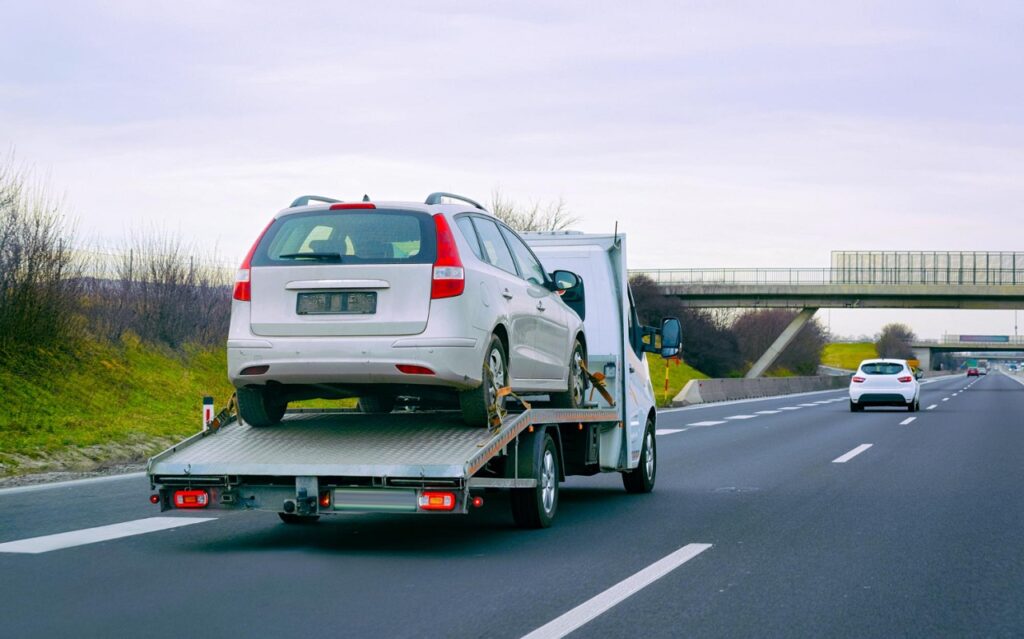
x: 716, y: 134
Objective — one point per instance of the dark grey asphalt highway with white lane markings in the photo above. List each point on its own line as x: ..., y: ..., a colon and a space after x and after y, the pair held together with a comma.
x: 783, y: 518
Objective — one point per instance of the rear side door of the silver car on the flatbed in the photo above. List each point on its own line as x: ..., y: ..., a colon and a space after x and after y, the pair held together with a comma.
x: 516, y: 291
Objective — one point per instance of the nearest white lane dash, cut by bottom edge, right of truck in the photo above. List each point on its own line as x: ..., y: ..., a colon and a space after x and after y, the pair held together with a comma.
x: 595, y: 607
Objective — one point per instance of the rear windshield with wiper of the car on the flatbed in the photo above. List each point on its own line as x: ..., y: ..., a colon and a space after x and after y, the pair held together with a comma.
x: 349, y: 237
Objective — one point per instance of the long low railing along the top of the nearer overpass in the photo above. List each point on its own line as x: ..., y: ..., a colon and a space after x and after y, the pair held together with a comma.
x: 810, y: 277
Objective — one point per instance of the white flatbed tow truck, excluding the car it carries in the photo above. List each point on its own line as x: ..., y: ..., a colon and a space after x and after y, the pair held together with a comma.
x: 321, y: 462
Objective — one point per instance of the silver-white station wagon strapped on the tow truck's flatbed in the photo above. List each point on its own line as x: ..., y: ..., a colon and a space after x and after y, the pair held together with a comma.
x: 437, y: 301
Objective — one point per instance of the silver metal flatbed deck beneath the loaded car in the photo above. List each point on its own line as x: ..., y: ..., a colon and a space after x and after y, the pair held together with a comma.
x: 424, y: 445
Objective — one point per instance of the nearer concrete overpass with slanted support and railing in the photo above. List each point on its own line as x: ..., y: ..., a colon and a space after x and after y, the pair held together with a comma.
x: 856, y: 280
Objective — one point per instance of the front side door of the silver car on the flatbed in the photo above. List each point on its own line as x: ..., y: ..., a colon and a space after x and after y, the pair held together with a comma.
x: 550, y: 339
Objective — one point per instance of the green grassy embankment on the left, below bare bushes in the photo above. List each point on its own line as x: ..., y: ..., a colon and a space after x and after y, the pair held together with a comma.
x: 103, y: 406
